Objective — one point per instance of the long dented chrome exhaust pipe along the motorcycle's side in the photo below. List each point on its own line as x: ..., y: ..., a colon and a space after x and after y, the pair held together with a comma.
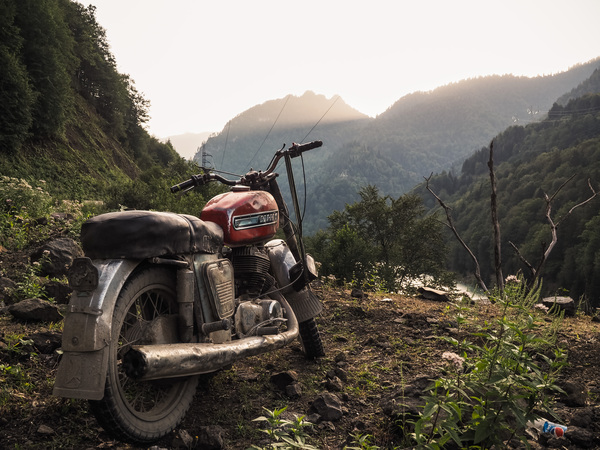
x: 153, y: 362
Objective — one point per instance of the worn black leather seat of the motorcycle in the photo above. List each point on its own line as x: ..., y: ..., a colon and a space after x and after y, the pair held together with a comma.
x: 145, y: 234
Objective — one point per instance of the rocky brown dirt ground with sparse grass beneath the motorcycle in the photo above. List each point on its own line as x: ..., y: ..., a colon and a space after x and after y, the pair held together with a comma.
x: 380, y: 350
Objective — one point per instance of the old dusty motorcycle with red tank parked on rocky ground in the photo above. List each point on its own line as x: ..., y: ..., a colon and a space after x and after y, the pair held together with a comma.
x: 161, y: 298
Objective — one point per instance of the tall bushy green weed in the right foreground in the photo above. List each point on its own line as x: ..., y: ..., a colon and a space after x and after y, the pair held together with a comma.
x: 495, y: 383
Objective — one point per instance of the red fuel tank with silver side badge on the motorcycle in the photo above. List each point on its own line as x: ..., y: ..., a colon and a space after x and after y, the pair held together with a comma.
x: 246, y: 216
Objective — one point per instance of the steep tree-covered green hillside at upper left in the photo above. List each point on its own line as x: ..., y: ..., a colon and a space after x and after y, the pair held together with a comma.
x: 68, y: 117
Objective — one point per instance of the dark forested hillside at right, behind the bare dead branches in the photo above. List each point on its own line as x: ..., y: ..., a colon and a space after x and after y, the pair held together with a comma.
x: 532, y: 161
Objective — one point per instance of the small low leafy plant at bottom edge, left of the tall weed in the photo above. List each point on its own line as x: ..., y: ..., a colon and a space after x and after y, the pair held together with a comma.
x: 283, y: 433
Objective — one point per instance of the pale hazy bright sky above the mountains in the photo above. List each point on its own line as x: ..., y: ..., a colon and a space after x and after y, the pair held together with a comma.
x: 200, y: 63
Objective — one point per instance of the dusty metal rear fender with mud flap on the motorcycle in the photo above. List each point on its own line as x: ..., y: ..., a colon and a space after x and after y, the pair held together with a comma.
x: 87, y: 331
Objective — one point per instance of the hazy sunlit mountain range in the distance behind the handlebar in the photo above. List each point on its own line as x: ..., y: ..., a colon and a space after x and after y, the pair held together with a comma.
x: 421, y: 133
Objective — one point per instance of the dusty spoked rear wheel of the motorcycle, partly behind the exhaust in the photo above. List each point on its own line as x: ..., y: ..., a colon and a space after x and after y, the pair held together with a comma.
x: 143, y: 411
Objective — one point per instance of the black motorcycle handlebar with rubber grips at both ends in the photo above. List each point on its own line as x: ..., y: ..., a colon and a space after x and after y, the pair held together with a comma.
x: 252, y: 177
